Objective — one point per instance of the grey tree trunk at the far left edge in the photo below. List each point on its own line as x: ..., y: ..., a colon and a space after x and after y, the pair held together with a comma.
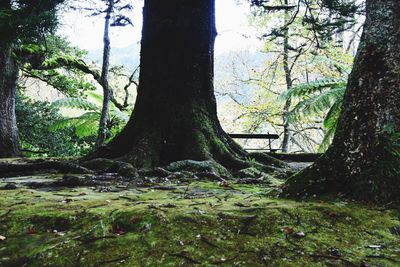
x: 9, y: 145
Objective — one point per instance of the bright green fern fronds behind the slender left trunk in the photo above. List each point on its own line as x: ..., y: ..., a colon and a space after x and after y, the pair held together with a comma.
x: 87, y: 124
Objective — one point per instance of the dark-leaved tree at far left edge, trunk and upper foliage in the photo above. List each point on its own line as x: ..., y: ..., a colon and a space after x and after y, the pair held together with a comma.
x: 21, y: 22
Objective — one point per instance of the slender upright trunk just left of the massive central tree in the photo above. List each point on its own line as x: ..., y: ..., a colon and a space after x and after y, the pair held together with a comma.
x: 101, y: 139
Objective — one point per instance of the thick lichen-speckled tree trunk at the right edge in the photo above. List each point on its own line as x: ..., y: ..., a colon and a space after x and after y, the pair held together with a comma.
x: 358, y: 162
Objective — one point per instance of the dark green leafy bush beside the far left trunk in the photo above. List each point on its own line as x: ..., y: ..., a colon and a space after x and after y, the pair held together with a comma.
x: 34, y: 119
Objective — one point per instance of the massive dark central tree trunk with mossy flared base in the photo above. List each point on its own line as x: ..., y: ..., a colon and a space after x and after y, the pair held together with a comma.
x: 175, y: 115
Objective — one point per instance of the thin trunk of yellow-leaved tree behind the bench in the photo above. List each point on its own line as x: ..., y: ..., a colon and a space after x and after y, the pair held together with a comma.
x: 287, y: 134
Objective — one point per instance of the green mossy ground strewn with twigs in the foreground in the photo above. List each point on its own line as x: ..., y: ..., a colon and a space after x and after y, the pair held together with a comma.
x: 199, y: 223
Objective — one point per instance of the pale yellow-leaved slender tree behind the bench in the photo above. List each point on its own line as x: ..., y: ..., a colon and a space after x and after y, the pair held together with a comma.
x: 293, y: 54
